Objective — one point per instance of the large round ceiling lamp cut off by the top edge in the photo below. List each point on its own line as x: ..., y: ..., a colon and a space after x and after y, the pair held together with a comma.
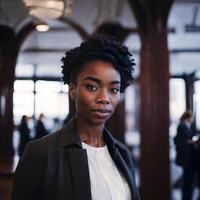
x: 49, y: 9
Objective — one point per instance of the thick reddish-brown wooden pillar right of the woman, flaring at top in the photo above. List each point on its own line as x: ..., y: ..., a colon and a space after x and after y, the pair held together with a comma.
x: 154, y: 81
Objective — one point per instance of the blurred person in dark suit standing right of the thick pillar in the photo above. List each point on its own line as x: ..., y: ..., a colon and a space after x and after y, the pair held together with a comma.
x: 186, y: 153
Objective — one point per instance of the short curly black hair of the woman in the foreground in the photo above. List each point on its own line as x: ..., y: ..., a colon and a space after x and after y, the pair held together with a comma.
x: 99, y: 47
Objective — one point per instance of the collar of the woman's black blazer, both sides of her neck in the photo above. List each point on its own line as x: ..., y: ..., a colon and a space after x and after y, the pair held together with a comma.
x: 70, y: 135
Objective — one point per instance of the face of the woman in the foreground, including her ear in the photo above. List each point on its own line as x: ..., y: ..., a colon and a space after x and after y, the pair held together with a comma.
x: 96, y: 92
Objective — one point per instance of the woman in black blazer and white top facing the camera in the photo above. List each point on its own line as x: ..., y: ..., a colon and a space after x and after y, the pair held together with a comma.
x: 82, y: 161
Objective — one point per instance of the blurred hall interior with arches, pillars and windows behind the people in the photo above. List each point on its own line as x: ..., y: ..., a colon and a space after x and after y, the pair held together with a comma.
x: 164, y: 38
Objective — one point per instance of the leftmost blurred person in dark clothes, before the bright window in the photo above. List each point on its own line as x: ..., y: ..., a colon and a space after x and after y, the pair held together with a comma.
x: 24, y: 132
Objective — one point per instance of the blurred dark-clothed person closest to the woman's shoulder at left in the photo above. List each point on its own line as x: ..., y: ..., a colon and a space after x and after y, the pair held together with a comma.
x: 40, y: 130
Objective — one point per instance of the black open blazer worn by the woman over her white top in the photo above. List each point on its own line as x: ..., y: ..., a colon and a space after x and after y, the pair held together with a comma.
x: 55, y: 167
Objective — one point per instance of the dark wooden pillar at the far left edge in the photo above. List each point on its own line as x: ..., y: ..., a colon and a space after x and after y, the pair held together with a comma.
x: 7, y: 42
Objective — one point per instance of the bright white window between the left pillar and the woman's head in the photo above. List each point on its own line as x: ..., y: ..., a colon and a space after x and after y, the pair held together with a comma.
x: 47, y: 97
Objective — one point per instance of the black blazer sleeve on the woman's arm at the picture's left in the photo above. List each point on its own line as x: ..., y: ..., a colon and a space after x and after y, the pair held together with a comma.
x: 27, y: 177
